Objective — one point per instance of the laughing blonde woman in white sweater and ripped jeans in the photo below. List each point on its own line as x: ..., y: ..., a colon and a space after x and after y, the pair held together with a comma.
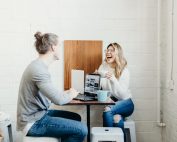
x: 115, y: 78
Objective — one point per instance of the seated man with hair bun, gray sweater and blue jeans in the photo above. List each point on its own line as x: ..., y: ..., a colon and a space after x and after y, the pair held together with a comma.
x: 36, y: 93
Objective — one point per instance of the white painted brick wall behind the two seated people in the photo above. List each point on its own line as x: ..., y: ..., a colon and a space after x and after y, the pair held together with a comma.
x: 133, y: 24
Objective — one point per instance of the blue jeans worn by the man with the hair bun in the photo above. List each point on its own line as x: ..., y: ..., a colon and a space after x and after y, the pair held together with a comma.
x: 60, y: 124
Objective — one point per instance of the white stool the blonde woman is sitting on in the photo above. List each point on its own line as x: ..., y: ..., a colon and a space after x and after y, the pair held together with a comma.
x: 130, y: 124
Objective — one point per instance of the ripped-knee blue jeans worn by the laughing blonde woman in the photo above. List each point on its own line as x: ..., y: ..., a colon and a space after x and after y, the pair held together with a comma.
x: 124, y: 108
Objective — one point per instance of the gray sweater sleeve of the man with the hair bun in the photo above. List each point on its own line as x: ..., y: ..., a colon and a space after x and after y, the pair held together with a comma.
x: 45, y: 86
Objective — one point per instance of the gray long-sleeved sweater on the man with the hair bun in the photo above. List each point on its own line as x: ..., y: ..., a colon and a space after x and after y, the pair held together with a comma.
x: 36, y: 93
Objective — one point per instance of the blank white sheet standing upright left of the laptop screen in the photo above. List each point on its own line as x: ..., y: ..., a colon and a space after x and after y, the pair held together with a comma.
x: 77, y: 80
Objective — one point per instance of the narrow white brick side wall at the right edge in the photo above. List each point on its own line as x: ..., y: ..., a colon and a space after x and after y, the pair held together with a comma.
x: 169, y: 105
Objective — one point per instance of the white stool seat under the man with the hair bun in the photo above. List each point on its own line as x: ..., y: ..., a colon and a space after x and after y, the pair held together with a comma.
x: 40, y: 139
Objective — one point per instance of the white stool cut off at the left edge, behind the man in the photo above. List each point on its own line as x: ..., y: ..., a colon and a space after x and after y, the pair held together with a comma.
x: 6, y: 127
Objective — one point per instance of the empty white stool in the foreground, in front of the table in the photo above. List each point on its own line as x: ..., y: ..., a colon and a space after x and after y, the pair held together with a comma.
x: 107, y: 134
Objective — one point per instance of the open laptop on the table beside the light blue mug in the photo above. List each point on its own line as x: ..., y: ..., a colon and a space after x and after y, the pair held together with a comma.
x: 91, y: 86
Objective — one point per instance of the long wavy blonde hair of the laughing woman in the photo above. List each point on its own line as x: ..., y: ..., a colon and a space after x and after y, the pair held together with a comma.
x: 120, y: 61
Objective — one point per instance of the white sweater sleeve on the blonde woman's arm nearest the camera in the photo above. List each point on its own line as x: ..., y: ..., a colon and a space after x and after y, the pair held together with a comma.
x: 120, y: 86
